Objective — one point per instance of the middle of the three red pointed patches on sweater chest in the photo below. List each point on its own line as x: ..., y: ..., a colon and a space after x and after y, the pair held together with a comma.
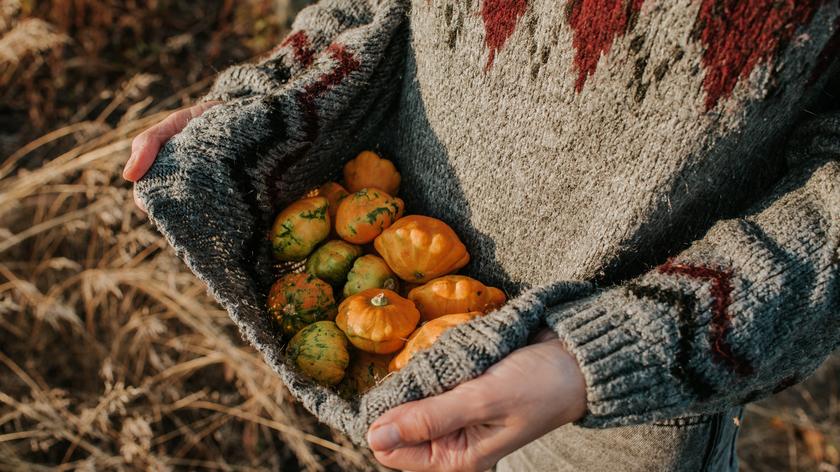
x: 596, y: 24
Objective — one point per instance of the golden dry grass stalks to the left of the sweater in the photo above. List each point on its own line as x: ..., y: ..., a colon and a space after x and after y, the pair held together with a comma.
x: 112, y: 355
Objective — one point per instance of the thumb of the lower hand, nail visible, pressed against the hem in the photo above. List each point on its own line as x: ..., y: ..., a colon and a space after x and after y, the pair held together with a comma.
x: 424, y: 420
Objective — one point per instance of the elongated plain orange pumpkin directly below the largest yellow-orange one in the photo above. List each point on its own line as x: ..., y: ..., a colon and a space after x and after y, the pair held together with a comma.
x: 455, y: 294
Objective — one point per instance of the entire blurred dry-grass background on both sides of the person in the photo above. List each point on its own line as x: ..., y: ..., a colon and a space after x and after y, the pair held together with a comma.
x: 112, y: 355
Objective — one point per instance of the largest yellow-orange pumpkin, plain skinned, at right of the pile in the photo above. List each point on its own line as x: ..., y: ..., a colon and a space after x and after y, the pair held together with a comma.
x: 419, y: 248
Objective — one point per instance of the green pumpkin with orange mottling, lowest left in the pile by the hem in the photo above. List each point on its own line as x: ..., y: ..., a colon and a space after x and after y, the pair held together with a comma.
x: 320, y: 352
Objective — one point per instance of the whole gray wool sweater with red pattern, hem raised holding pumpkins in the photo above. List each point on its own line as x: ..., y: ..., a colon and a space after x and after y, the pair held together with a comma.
x: 643, y: 177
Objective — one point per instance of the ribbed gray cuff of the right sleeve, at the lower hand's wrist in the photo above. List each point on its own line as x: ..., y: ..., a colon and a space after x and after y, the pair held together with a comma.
x: 625, y: 348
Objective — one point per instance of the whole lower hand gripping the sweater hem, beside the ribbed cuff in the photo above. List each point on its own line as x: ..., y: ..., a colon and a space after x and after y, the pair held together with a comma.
x: 534, y: 390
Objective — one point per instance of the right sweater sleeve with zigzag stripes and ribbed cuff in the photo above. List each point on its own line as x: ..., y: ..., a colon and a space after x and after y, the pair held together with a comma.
x: 750, y: 309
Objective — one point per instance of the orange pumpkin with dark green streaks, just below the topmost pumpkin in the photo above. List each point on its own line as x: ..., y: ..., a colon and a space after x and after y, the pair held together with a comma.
x: 363, y: 215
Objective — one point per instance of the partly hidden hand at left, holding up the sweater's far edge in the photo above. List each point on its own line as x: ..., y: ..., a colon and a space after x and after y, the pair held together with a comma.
x: 146, y: 145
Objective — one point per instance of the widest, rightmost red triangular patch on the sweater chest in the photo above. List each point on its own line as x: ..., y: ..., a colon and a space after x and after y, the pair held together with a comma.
x: 738, y: 34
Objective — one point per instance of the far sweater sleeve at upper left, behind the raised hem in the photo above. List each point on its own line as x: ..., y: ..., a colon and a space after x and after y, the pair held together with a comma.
x: 315, y: 32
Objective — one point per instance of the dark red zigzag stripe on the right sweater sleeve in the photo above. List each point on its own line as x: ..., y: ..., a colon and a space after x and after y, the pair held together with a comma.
x: 721, y: 323
